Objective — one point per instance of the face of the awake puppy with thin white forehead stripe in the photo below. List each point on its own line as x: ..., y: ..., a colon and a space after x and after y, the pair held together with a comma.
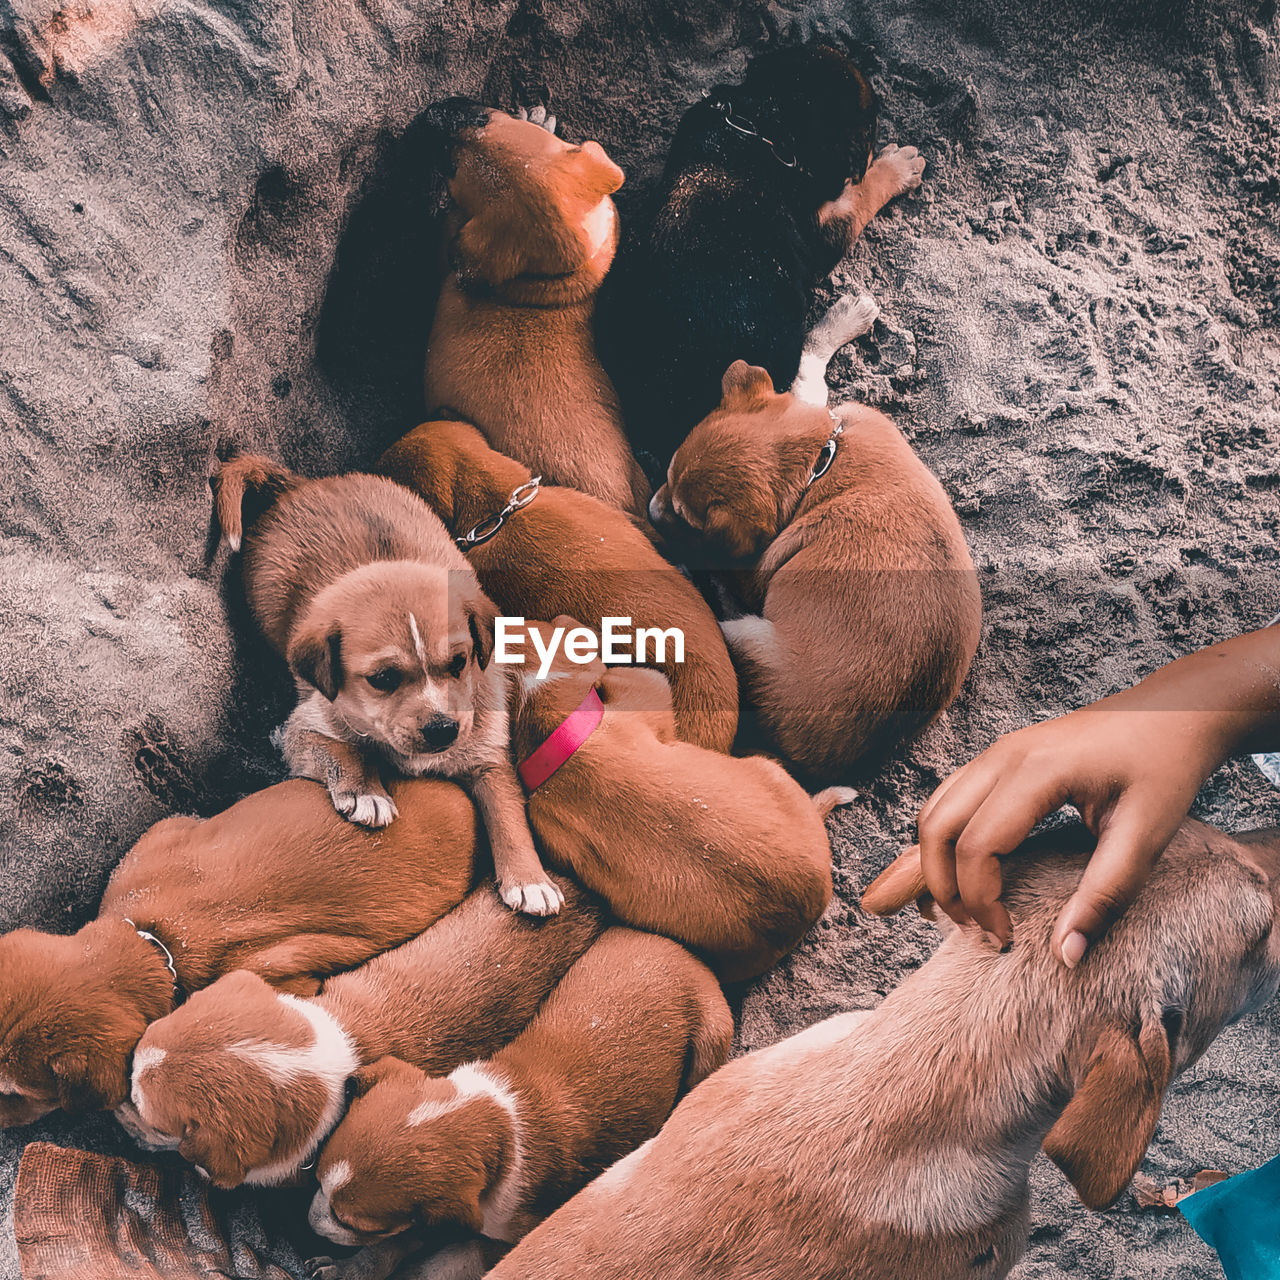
x: 401, y: 651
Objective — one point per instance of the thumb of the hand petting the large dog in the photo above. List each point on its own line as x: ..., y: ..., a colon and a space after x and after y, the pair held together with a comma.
x: 1127, y: 851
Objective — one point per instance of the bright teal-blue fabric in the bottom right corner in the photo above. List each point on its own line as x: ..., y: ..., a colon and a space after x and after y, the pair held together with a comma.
x: 1241, y: 1219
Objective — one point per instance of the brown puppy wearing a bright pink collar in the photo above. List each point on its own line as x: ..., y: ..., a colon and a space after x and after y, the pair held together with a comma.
x: 728, y: 856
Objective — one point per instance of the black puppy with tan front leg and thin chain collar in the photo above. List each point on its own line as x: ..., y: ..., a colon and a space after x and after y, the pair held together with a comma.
x: 767, y: 186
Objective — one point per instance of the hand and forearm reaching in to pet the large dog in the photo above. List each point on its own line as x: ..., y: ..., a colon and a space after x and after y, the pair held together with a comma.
x: 1131, y: 764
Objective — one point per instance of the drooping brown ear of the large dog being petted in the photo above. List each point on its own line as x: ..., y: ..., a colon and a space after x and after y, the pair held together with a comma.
x: 1101, y: 1137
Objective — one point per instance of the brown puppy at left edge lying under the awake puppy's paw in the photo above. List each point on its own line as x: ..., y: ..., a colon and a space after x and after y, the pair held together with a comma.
x: 278, y: 885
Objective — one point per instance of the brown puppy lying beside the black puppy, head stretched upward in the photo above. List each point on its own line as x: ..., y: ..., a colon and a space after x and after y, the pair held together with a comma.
x: 532, y: 235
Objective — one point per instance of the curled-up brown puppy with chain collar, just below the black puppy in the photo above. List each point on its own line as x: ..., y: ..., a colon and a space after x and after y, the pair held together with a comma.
x: 865, y: 605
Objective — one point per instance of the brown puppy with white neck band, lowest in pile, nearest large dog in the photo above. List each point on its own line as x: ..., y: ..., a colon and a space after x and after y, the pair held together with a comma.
x: 500, y: 1145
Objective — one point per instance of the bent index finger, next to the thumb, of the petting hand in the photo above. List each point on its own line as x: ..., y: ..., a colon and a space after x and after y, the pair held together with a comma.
x: 1000, y: 825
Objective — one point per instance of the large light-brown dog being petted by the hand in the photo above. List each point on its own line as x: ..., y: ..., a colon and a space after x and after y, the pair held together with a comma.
x: 898, y: 1142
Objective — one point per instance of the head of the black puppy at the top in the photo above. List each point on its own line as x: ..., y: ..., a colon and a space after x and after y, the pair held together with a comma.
x: 816, y: 99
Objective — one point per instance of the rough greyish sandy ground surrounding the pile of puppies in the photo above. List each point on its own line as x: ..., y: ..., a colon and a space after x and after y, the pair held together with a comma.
x: 213, y: 232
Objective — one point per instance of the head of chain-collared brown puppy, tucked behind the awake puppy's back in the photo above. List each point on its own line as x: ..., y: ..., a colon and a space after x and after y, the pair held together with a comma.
x: 452, y: 467
